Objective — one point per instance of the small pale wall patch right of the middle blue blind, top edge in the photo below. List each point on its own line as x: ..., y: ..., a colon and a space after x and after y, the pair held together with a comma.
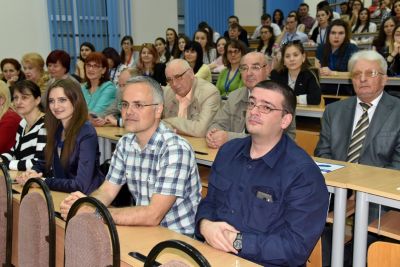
x: 249, y: 11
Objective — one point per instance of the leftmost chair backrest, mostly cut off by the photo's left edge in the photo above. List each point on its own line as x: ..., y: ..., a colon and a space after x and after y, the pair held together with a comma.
x: 6, y: 216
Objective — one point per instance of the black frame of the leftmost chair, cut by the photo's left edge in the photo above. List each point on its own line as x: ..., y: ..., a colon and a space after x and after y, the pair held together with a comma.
x: 9, y: 215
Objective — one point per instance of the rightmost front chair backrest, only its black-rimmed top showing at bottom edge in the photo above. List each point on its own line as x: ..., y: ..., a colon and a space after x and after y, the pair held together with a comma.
x: 176, y: 244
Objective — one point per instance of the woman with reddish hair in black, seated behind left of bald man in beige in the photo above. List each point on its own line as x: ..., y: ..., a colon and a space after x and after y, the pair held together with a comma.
x: 148, y: 64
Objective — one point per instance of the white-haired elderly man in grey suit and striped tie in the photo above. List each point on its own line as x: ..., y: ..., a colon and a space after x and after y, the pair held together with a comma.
x: 364, y: 128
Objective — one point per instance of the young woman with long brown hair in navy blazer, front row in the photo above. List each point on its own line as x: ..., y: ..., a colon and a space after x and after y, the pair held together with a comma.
x: 72, y: 151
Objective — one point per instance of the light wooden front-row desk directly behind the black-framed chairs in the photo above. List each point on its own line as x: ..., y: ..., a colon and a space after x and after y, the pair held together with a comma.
x: 140, y: 239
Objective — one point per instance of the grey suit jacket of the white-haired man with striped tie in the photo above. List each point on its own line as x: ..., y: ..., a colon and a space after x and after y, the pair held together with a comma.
x: 381, y: 147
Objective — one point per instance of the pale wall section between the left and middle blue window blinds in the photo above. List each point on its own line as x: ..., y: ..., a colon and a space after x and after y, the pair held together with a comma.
x: 151, y: 18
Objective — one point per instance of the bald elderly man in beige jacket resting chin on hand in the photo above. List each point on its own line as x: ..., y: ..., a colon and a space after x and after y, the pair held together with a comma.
x: 190, y: 102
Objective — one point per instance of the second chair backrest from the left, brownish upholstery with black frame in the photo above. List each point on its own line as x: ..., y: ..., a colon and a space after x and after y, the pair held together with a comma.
x: 36, y: 227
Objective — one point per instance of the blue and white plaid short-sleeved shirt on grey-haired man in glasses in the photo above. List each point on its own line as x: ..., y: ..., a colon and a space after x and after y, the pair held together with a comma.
x: 166, y: 166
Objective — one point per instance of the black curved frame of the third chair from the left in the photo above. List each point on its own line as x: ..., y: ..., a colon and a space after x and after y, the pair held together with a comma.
x: 108, y: 220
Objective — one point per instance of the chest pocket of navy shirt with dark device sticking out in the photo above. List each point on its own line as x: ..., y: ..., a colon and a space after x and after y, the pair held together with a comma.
x: 261, y: 214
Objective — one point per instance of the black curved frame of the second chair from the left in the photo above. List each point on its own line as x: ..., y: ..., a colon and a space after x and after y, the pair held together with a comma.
x: 50, y: 207
